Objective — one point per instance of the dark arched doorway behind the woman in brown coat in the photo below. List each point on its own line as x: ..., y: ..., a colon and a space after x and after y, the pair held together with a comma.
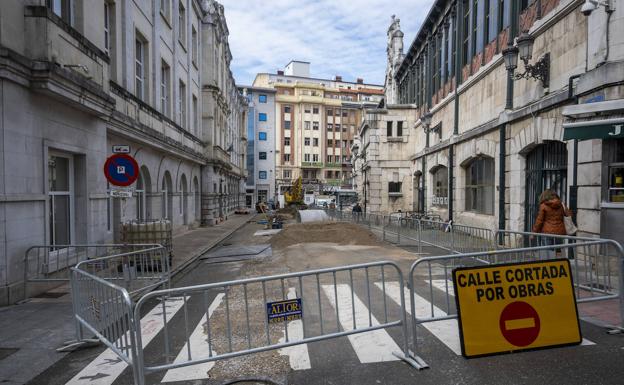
x: 546, y: 168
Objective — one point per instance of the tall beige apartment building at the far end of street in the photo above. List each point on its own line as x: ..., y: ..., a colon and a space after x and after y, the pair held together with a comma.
x: 316, y: 123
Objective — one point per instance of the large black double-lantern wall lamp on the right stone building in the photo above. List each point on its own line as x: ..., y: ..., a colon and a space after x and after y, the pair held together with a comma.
x: 538, y: 71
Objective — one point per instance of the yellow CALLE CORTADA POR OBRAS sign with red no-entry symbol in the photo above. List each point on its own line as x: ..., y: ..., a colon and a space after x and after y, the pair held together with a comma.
x: 514, y: 307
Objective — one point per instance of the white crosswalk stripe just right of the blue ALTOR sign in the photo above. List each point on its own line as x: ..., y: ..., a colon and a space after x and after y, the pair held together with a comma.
x: 374, y: 346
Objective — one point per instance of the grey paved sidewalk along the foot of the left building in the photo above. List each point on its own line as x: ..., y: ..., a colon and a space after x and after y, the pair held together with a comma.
x: 31, y: 332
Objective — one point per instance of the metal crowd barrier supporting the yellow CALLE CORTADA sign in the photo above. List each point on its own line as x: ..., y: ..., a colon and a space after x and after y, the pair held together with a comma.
x: 597, y: 272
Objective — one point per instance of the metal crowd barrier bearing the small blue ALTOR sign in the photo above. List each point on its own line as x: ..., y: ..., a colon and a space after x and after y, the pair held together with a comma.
x: 330, y: 310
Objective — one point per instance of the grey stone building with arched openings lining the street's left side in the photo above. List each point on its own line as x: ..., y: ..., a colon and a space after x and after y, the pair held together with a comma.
x: 78, y: 77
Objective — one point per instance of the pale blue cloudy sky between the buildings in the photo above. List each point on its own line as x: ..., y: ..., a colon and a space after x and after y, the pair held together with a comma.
x: 338, y: 37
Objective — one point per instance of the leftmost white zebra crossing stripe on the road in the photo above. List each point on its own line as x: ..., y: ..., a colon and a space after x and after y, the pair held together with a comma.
x: 105, y: 369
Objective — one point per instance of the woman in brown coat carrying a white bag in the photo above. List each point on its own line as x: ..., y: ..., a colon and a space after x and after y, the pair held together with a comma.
x: 550, y: 218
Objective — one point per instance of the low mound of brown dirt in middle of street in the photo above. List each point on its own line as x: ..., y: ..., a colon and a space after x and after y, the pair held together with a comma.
x: 340, y: 233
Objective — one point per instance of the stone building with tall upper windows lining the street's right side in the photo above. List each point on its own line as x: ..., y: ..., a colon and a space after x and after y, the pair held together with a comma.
x: 508, y: 100
